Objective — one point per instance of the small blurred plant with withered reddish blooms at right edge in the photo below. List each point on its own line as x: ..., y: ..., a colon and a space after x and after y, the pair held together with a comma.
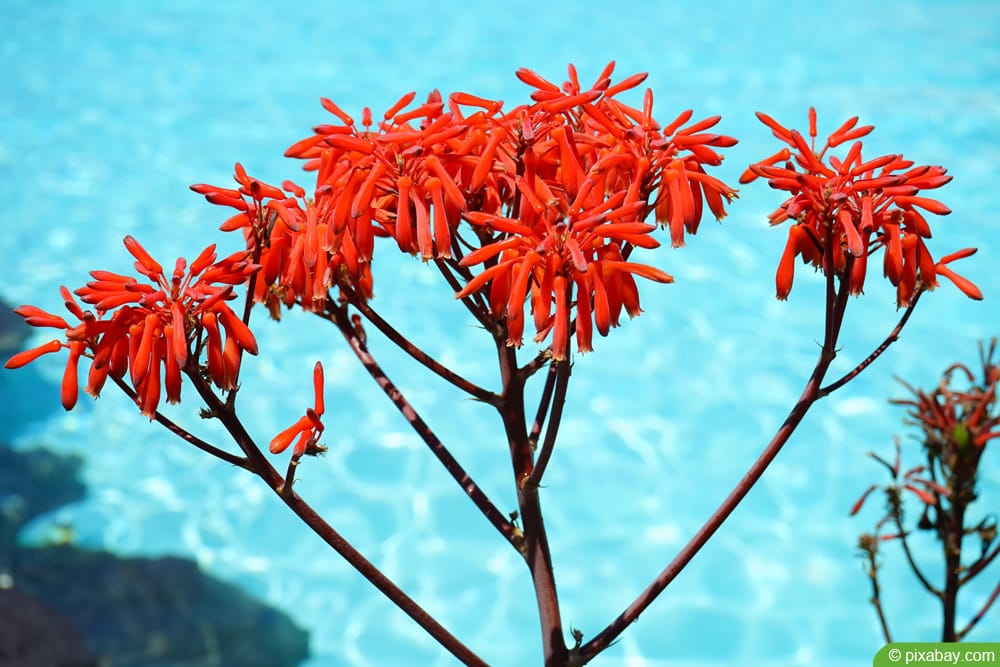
x: 956, y: 420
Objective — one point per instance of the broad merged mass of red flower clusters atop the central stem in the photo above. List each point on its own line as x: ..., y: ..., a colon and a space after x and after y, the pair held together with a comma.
x: 556, y: 192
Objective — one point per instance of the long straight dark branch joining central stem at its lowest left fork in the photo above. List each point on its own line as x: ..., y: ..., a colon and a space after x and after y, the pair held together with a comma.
x: 338, y: 316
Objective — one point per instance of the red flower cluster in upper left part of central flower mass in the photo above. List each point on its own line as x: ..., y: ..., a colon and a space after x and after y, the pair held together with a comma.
x: 399, y: 179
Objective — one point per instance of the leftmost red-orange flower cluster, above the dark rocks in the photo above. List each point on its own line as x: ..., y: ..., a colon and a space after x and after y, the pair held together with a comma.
x: 146, y: 329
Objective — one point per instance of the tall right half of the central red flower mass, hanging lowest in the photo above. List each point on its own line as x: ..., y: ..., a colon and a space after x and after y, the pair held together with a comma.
x: 563, y: 187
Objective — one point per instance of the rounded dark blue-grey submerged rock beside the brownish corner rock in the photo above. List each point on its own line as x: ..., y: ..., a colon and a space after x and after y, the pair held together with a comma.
x: 158, y: 612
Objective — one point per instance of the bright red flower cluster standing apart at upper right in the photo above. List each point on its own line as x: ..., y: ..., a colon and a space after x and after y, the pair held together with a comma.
x: 856, y: 206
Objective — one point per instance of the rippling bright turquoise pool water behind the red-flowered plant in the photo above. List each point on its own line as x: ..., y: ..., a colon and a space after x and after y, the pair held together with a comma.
x: 109, y: 110
